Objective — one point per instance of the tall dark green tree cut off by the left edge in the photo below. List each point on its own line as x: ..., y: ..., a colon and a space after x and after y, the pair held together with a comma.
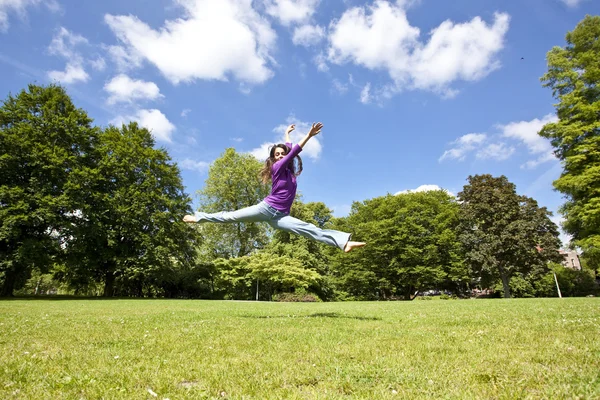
x: 44, y: 139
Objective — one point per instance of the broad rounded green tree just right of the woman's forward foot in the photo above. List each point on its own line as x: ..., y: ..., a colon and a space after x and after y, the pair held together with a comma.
x: 412, y: 245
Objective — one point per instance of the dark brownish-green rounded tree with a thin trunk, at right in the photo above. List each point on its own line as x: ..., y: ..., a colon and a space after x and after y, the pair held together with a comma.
x: 504, y: 233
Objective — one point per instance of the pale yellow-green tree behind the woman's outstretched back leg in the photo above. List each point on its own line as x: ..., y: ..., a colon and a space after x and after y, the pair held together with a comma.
x: 232, y: 183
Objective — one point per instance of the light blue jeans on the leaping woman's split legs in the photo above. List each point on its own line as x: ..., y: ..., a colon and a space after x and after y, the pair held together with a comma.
x: 263, y: 212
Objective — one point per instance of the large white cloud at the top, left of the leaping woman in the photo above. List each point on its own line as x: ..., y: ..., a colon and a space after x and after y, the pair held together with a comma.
x: 214, y: 39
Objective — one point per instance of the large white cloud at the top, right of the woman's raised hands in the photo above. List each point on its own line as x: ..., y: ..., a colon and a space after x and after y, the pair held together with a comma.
x: 380, y: 37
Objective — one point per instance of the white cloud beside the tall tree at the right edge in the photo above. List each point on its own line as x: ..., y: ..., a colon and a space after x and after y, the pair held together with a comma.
x: 527, y: 133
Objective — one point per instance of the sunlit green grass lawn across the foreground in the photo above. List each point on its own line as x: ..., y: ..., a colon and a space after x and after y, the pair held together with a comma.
x: 188, y: 349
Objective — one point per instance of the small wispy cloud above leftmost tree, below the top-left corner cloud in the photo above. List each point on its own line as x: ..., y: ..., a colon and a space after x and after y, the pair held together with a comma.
x: 63, y: 44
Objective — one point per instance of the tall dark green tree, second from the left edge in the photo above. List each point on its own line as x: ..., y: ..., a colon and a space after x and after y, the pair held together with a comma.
x: 130, y: 229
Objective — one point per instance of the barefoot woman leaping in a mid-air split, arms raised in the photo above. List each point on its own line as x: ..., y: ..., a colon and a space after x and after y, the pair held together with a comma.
x: 275, y: 208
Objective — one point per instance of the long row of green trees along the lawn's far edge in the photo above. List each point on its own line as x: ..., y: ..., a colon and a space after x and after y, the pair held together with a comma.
x: 98, y: 211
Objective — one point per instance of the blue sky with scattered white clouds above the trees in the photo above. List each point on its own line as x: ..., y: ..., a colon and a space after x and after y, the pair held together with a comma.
x: 412, y: 94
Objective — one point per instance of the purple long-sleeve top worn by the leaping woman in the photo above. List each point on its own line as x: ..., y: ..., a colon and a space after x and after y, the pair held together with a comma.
x: 283, y: 190
